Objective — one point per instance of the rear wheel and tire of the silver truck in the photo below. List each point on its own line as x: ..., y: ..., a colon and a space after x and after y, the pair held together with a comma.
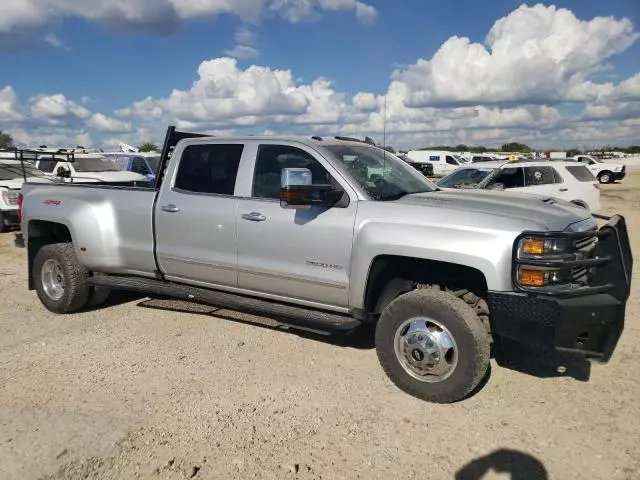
x: 61, y: 282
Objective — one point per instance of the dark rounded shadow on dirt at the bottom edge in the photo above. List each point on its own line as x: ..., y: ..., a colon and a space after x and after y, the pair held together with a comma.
x: 518, y: 465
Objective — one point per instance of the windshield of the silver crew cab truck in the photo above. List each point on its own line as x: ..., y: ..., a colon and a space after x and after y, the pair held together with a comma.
x: 382, y: 175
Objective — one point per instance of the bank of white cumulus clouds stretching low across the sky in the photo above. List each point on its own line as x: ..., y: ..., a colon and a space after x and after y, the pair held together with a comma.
x: 533, y: 80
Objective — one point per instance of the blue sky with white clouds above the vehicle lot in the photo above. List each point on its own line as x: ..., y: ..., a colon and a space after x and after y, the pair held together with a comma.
x: 103, y: 63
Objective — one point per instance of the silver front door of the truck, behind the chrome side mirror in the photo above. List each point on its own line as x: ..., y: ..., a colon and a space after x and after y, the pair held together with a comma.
x: 299, y: 254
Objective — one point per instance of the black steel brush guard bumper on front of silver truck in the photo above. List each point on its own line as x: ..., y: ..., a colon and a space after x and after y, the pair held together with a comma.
x: 587, y: 321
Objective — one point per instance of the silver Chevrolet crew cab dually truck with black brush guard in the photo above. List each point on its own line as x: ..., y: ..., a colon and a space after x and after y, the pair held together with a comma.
x: 331, y: 234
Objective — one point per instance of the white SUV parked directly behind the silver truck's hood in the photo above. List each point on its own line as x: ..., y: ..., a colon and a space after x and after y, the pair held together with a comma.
x: 570, y: 181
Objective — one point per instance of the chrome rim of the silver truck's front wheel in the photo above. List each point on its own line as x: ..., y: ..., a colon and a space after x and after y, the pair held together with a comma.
x: 426, y: 349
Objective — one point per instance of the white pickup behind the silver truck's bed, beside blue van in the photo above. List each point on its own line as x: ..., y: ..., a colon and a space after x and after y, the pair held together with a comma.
x: 87, y: 168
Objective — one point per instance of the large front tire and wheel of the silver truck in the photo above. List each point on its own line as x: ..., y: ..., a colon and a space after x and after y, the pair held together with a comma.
x: 432, y: 345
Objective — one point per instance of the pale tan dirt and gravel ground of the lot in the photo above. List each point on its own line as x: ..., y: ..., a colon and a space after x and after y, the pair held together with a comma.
x: 147, y: 389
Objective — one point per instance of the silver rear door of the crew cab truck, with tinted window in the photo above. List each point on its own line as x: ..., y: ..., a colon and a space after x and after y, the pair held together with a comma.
x: 196, y: 216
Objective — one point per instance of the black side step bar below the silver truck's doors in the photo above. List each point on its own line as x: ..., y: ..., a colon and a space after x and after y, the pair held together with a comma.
x: 288, y: 314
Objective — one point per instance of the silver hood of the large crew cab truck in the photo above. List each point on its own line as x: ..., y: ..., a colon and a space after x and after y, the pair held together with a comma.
x: 543, y: 212
